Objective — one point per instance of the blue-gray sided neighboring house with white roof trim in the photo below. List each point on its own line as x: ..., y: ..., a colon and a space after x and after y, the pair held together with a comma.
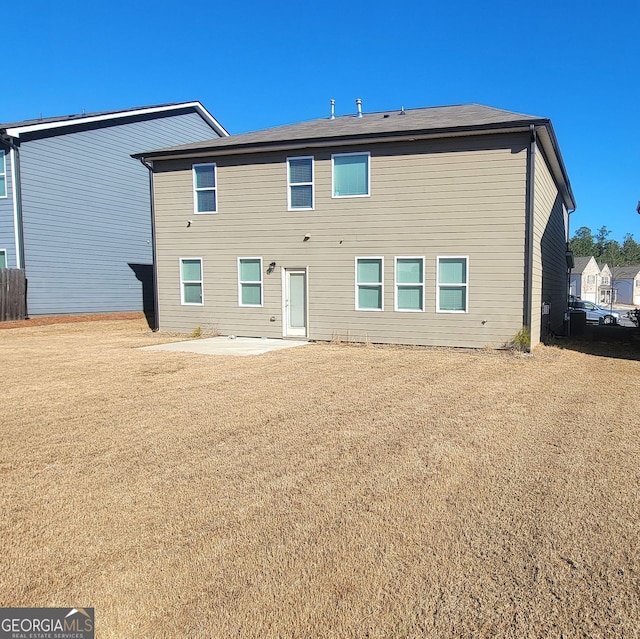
x: 75, y: 208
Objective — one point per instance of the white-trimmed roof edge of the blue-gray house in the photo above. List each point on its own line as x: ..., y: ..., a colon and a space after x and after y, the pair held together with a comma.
x: 15, y: 129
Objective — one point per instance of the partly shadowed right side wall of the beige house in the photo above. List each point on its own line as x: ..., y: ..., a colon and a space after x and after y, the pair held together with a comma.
x: 549, y: 262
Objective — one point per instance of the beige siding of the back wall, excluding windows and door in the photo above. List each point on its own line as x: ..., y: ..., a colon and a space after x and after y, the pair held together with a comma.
x: 462, y: 197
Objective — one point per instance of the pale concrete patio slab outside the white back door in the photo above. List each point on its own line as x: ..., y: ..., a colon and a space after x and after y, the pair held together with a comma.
x: 240, y: 346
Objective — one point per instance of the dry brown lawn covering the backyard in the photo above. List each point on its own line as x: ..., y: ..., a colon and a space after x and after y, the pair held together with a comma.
x: 320, y: 492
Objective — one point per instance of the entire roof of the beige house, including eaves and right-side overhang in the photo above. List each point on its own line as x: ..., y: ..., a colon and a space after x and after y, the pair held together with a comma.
x: 384, y: 126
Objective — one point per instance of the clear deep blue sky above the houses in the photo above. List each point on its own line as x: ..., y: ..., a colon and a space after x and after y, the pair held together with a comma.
x: 261, y: 64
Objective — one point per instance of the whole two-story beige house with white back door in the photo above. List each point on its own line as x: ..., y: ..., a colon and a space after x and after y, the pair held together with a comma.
x: 439, y: 226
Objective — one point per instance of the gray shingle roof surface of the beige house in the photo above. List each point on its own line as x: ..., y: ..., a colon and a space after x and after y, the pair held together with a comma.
x: 381, y: 124
